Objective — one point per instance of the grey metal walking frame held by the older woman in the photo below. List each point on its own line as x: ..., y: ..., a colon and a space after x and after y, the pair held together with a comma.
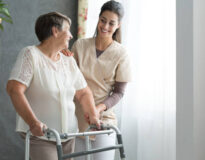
x: 105, y: 129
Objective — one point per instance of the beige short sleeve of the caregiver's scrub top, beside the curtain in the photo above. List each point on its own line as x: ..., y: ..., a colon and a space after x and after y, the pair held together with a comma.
x: 123, y: 72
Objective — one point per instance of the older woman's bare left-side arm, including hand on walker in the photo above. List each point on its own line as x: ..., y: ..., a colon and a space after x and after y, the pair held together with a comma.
x: 16, y: 91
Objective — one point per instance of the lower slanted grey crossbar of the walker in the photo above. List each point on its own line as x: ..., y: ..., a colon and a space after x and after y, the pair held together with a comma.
x: 77, y: 154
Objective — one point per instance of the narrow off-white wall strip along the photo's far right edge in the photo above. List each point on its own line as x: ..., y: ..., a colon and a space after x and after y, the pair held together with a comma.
x: 199, y: 79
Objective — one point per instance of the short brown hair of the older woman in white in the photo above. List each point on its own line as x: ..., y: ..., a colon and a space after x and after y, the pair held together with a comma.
x: 45, y: 22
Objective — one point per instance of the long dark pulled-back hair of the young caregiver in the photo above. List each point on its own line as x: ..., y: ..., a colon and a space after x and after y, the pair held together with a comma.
x: 116, y: 8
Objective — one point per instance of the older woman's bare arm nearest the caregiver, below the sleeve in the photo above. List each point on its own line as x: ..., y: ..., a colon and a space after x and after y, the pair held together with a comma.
x: 85, y: 97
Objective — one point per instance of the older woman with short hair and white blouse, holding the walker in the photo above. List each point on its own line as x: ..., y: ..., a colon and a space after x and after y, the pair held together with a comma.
x: 43, y: 84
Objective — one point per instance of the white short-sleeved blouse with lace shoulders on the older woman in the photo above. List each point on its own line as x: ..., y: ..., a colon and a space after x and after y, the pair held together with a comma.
x: 51, y: 88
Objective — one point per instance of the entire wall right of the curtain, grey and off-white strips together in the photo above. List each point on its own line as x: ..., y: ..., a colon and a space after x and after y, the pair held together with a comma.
x: 190, y: 131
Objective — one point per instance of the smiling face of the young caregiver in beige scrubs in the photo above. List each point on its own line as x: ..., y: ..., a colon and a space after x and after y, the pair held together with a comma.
x: 107, y: 24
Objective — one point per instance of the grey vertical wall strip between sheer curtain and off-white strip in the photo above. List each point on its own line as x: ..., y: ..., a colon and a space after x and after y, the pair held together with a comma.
x: 184, y: 80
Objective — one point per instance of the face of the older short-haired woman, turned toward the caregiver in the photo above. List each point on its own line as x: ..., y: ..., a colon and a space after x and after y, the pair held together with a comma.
x: 64, y: 35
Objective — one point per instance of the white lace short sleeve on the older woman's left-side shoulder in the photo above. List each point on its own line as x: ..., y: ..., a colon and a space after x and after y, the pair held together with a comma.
x: 22, y: 70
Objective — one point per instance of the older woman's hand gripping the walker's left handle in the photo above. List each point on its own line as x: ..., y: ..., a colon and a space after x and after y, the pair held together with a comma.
x: 37, y: 128
